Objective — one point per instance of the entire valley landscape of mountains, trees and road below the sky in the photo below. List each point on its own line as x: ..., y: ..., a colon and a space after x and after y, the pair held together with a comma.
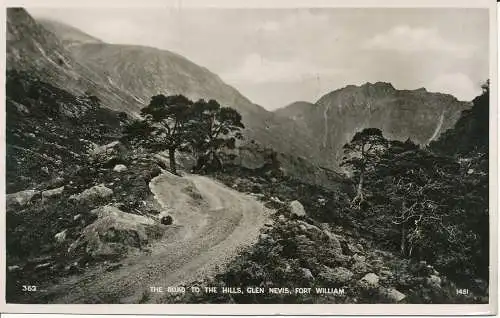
x: 130, y: 167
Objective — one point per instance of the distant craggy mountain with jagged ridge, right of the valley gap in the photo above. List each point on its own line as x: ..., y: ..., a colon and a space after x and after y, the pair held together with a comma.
x: 416, y: 114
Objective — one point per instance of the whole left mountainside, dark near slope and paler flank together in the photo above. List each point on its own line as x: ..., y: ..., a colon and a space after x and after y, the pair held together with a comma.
x: 126, y: 76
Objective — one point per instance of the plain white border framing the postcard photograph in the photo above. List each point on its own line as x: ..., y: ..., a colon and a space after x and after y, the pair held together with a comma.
x: 286, y: 309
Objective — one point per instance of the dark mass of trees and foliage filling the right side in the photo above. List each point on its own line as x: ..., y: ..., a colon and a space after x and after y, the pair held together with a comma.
x: 427, y: 204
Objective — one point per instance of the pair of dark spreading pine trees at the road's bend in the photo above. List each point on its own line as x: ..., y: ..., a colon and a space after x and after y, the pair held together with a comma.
x: 176, y: 123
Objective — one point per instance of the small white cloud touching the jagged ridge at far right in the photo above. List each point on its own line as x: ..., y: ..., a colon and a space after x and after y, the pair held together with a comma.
x: 456, y: 84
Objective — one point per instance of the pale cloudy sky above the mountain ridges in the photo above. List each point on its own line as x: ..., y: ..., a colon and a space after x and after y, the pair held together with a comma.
x: 278, y: 56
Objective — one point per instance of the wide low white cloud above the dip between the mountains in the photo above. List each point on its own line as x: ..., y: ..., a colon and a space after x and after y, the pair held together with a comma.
x: 256, y: 69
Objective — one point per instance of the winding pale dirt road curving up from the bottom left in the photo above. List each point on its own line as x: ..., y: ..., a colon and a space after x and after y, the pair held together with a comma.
x: 211, y: 224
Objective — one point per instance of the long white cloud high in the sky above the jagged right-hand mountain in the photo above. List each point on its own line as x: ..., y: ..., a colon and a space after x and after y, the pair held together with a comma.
x: 417, y: 39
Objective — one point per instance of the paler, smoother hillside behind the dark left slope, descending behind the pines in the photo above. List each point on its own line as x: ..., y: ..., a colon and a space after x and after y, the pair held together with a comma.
x: 142, y: 72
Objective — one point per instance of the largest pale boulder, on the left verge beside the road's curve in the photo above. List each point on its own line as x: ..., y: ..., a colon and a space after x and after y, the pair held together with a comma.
x: 115, y: 232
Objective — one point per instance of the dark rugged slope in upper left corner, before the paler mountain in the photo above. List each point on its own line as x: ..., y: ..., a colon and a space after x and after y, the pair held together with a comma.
x: 33, y: 49
